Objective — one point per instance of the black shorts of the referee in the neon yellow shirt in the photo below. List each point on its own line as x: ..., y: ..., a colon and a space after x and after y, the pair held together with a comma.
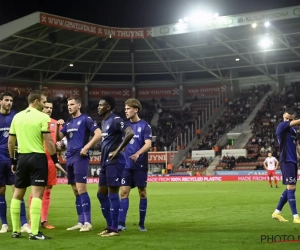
x: 32, y: 170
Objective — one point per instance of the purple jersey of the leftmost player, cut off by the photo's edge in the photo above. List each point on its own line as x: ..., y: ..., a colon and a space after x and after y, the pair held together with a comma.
x: 5, y: 121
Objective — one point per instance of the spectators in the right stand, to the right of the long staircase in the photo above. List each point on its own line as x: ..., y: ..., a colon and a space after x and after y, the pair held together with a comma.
x: 264, y: 127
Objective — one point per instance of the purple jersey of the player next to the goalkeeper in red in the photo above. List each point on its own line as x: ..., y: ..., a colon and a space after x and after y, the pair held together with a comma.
x: 78, y: 131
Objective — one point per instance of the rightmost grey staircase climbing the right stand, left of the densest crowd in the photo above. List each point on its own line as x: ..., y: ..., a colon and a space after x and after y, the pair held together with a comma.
x: 246, y: 131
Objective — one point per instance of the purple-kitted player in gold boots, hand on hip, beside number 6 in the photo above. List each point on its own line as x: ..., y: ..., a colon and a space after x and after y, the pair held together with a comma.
x: 112, y: 163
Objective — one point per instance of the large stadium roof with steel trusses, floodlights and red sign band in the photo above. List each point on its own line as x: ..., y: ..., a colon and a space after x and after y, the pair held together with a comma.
x: 49, y: 44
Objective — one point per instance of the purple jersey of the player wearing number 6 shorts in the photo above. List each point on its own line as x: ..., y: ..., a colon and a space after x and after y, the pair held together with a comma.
x: 142, y: 131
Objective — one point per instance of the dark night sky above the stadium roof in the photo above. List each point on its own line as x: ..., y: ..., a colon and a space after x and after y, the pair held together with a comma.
x: 132, y: 13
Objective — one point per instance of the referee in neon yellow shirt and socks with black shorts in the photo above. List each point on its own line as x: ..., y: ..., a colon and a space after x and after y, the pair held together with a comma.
x: 31, y: 128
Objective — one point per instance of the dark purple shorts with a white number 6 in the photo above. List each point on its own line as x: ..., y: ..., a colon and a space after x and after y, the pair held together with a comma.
x: 134, y: 178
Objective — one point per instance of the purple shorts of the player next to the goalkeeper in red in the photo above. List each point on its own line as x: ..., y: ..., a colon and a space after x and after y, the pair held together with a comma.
x: 77, y: 169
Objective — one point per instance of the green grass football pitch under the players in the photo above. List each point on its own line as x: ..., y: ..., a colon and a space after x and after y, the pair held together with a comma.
x: 216, y: 215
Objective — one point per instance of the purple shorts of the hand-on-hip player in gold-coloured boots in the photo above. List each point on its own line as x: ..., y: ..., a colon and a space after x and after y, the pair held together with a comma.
x: 111, y: 175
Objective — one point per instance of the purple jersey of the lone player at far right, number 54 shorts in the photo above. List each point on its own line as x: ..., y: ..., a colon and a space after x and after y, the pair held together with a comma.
x: 287, y: 138
